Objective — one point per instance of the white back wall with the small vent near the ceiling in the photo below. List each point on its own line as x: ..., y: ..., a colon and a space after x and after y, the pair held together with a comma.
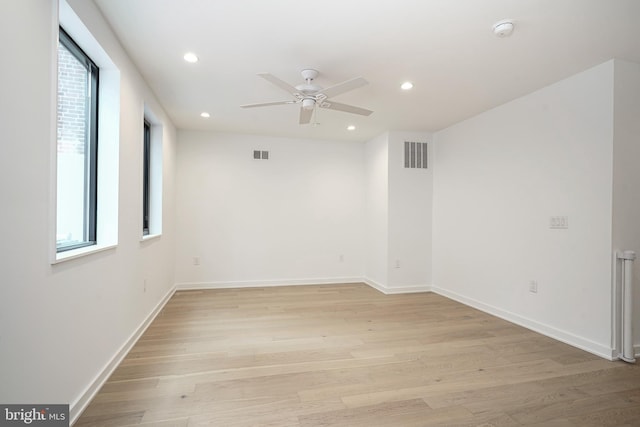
x: 295, y: 218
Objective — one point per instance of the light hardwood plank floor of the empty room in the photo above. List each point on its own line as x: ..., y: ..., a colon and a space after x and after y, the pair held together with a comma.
x: 347, y: 355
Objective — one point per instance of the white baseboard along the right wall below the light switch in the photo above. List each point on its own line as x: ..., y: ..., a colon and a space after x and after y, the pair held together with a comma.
x: 549, y: 331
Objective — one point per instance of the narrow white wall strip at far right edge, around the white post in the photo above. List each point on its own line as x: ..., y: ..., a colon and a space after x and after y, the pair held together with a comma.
x: 626, y: 171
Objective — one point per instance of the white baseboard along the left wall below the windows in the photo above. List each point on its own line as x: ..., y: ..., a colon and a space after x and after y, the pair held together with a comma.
x: 80, y: 404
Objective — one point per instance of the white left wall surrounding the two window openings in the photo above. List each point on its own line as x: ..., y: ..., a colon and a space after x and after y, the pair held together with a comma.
x: 60, y: 325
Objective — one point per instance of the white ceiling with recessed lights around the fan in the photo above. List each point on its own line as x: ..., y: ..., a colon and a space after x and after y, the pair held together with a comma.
x: 446, y: 47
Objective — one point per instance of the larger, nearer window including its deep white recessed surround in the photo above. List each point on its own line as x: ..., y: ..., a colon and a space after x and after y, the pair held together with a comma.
x: 85, y: 154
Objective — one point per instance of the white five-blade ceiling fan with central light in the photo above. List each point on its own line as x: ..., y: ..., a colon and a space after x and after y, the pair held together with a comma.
x: 310, y: 95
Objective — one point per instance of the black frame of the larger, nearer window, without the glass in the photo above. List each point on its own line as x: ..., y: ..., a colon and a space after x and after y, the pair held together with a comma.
x: 91, y: 145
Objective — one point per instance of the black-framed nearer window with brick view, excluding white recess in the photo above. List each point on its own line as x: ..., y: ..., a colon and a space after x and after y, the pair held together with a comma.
x: 77, y: 147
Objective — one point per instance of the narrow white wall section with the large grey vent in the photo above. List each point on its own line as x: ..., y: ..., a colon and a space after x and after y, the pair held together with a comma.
x: 410, y: 211
